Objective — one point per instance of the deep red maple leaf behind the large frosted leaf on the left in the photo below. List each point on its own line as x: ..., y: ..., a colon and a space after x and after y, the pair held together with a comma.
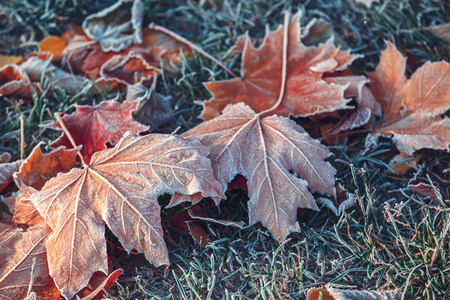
x: 94, y: 126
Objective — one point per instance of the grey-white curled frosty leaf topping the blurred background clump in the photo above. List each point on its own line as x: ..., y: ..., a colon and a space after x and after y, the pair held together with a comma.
x: 116, y: 27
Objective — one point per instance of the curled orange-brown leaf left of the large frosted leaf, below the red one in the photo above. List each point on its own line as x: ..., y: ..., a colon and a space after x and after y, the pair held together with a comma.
x: 35, y: 171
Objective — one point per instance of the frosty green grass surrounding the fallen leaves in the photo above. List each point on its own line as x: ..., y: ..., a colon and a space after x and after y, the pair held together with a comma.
x: 393, y: 238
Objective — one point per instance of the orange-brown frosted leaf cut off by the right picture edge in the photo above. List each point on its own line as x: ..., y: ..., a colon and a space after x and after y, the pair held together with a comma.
x: 412, y: 108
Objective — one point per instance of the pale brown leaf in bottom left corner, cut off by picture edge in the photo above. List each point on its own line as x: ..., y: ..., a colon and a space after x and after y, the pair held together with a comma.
x: 19, y: 250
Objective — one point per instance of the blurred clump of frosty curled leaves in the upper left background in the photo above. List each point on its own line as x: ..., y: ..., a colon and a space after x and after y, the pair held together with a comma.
x: 110, y: 50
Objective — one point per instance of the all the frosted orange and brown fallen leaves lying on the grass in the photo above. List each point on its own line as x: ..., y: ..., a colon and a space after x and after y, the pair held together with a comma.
x: 55, y: 243
